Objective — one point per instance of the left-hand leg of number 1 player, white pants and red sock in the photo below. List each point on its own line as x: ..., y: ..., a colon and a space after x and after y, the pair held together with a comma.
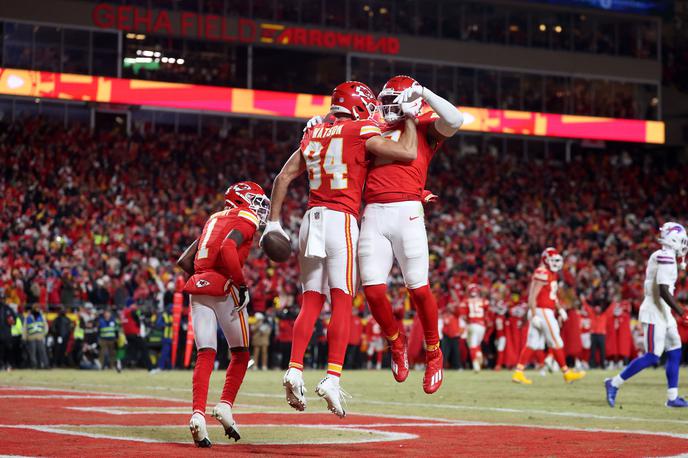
x: 205, y: 335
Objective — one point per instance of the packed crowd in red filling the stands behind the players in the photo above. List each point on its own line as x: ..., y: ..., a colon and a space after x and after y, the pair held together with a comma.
x: 92, y: 223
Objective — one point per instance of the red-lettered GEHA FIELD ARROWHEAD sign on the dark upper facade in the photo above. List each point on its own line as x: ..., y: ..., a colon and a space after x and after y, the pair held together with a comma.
x: 219, y: 28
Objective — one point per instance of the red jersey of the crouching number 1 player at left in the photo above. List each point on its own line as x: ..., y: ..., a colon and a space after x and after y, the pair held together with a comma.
x: 216, y: 229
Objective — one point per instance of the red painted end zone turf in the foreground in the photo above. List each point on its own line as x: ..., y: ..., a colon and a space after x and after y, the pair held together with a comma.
x: 449, y: 438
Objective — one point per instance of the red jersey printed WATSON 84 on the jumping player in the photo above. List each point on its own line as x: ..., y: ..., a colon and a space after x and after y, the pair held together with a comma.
x: 337, y: 163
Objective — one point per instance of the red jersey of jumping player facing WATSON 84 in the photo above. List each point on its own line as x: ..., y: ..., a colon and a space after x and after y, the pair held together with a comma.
x: 402, y: 181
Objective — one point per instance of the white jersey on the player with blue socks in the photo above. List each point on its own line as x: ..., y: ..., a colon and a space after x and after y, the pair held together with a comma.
x: 662, y: 269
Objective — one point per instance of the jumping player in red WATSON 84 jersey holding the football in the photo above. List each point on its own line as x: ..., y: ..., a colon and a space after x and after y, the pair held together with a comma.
x: 336, y: 156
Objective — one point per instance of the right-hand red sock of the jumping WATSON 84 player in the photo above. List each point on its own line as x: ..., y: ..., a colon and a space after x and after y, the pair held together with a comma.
x: 338, y: 330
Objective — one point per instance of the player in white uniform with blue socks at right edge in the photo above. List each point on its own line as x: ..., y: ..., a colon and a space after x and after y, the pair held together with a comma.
x: 659, y: 325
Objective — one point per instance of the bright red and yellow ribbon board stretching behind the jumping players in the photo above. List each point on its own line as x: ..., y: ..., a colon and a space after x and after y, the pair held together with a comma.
x: 288, y: 105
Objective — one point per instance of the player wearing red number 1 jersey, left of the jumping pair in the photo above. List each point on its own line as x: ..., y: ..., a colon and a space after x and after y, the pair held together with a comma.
x: 219, y: 294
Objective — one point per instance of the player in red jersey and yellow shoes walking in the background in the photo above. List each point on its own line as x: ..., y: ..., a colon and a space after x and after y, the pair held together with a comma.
x: 543, y: 302
